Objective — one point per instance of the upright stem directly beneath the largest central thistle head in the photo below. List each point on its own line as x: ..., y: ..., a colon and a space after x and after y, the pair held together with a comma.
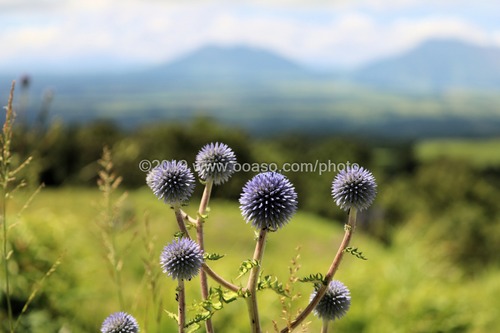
x: 253, y: 310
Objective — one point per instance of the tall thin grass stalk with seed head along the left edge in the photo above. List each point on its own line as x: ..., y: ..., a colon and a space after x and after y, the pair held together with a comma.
x: 6, y: 178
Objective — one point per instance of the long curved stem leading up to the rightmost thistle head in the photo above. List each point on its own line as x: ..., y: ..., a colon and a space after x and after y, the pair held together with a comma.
x: 349, y: 230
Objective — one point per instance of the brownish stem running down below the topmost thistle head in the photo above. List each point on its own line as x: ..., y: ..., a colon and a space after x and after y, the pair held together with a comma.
x: 202, y: 211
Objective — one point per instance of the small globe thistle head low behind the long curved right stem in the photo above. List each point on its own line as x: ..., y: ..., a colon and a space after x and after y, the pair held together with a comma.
x: 335, y: 303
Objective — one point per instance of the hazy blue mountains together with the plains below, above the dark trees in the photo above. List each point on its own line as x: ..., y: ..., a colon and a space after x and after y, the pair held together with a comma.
x: 267, y: 93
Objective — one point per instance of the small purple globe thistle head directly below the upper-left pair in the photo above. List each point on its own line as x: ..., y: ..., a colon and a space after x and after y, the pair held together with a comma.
x: 181, y: 259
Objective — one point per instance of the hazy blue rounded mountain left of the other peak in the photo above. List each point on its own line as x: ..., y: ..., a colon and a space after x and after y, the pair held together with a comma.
x: 231, y: 63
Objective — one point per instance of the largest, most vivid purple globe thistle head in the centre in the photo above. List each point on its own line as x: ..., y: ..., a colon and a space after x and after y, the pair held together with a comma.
x: 268, y: 201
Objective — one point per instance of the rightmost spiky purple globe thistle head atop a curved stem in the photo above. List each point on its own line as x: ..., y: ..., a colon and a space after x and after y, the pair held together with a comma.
x: 354, y: 187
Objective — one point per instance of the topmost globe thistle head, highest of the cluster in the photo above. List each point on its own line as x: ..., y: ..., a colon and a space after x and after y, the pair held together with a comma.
x: 215, y: 162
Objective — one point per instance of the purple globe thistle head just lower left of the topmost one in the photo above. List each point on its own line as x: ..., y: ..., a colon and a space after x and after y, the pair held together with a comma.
x: 171, y: 181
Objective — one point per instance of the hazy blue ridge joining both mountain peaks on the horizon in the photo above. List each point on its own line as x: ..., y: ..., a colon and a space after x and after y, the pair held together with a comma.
x: 434, y: 65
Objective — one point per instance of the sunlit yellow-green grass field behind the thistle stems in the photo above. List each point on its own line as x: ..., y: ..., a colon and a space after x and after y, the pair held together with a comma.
x: 408, y: 287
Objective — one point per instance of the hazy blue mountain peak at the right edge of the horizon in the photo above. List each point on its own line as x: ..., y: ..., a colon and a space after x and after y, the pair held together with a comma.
x: 436, y: 65
